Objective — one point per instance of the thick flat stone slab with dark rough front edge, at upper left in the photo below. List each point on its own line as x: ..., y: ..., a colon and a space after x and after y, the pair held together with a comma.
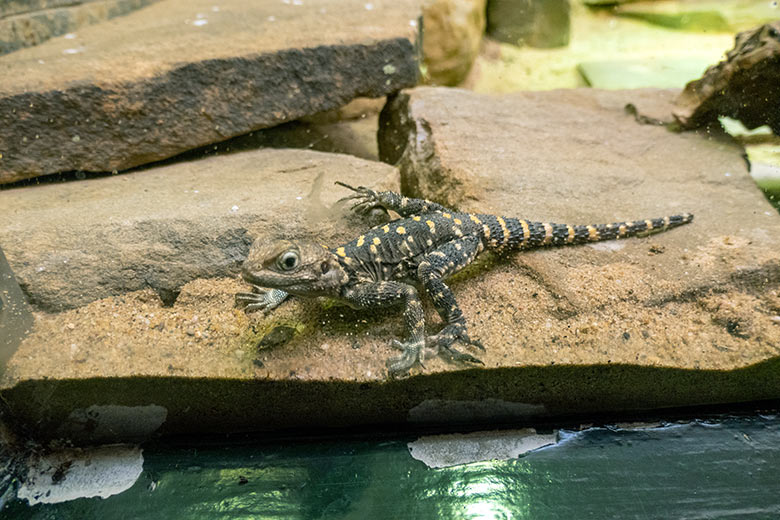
x: 179, y: 74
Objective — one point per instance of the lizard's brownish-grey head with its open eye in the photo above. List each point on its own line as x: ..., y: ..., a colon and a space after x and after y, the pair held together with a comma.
x: 301, y: 268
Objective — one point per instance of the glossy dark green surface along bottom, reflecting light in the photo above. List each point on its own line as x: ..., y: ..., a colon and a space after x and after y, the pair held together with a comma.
x: 728, y: 468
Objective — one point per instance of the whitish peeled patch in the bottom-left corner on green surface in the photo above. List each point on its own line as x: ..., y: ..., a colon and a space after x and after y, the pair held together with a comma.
x: 71, y: 474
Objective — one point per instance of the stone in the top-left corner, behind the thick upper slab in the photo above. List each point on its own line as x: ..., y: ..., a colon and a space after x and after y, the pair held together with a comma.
x: 29, y: 22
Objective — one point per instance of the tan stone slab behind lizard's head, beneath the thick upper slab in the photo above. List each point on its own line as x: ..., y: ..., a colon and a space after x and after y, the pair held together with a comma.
x: 75, y: 242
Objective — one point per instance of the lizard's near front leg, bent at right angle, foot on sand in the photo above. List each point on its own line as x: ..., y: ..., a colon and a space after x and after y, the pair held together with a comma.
x: 372, y: 295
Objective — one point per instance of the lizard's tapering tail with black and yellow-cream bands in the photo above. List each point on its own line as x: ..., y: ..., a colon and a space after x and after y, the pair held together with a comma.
x: 511, y: 233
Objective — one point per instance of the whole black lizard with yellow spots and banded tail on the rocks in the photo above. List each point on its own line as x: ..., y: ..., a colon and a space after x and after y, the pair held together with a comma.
x: 427, y: 244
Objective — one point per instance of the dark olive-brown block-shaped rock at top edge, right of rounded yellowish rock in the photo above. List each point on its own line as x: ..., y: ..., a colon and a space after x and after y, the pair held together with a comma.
x: 538, y: 23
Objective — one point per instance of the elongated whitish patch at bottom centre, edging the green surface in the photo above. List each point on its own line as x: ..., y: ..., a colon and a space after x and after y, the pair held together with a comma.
x: 441, y: 451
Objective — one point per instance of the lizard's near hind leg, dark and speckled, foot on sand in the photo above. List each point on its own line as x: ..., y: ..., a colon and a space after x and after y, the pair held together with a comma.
x: 437, y: 265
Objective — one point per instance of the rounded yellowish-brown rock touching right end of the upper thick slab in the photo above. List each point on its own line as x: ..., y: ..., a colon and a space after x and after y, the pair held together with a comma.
x: 453, y: 34
